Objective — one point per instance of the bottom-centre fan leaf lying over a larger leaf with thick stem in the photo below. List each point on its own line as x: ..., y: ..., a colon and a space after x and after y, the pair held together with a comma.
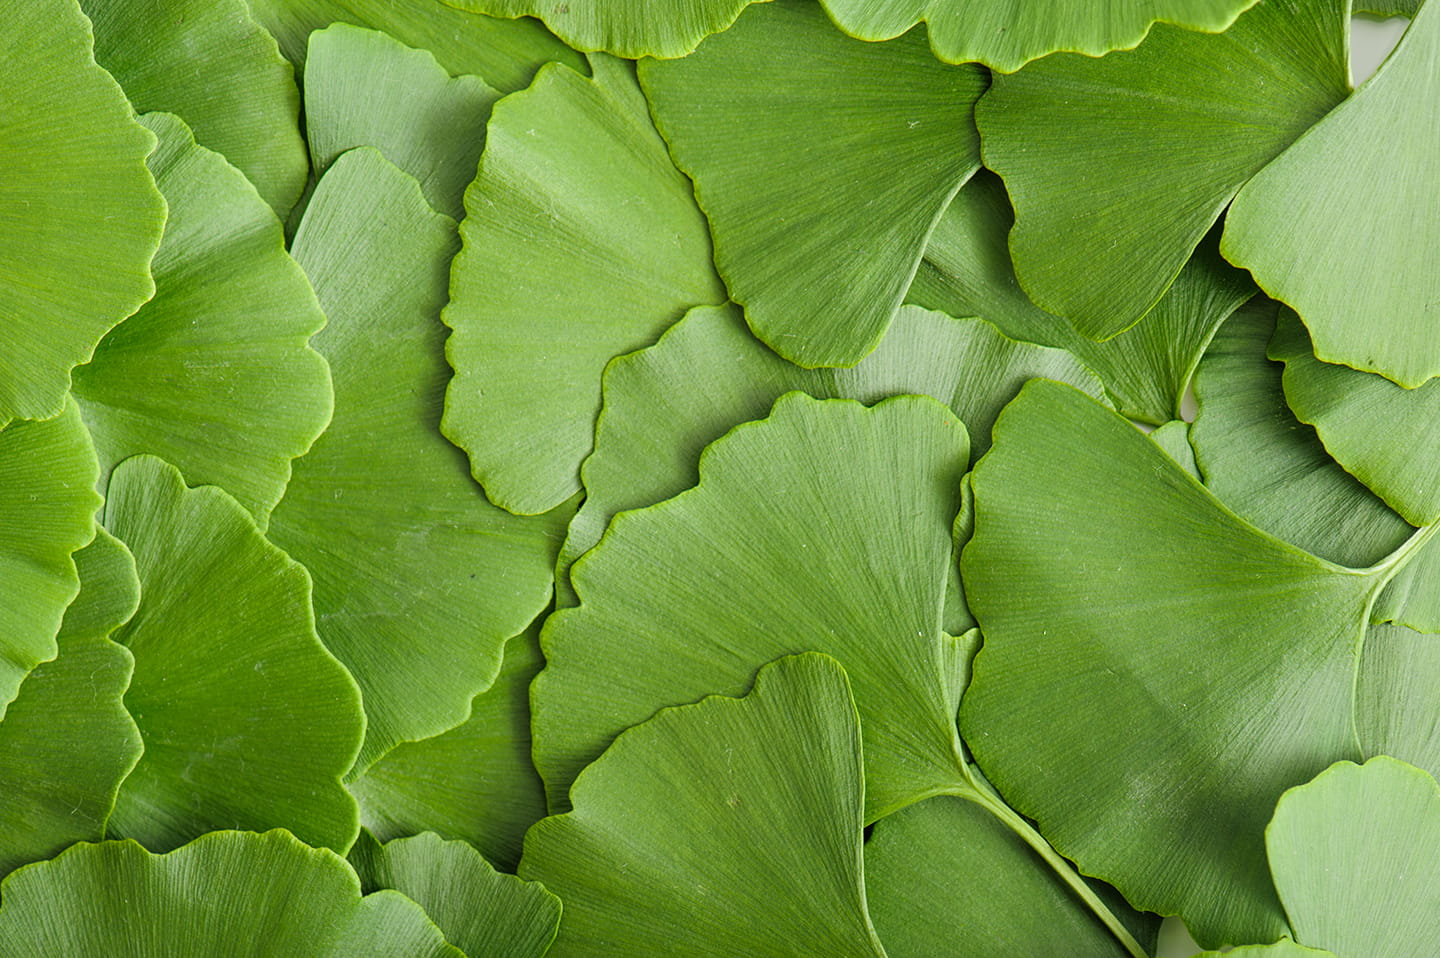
x: 737, y: 826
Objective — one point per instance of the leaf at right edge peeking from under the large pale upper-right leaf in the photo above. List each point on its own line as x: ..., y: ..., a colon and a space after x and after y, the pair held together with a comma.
x: 1359, y: 417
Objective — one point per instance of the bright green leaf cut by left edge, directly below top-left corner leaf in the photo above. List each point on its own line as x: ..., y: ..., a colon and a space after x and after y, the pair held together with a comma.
x: 47, y: 514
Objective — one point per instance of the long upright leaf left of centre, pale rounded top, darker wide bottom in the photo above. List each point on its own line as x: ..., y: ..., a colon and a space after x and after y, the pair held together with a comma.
x: 420, y: 581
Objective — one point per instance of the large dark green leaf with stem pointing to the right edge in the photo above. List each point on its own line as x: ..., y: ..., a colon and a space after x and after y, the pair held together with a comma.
x: 1151, y: 764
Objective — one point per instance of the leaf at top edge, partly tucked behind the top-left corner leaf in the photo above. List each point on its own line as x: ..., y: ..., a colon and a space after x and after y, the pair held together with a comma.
x: 211, y: 64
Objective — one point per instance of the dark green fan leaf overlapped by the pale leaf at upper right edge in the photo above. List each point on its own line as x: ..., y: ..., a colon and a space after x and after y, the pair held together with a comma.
x: 1177, y: 126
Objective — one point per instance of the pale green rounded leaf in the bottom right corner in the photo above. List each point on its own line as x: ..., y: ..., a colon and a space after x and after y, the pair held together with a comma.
x: 1357, y: 861
